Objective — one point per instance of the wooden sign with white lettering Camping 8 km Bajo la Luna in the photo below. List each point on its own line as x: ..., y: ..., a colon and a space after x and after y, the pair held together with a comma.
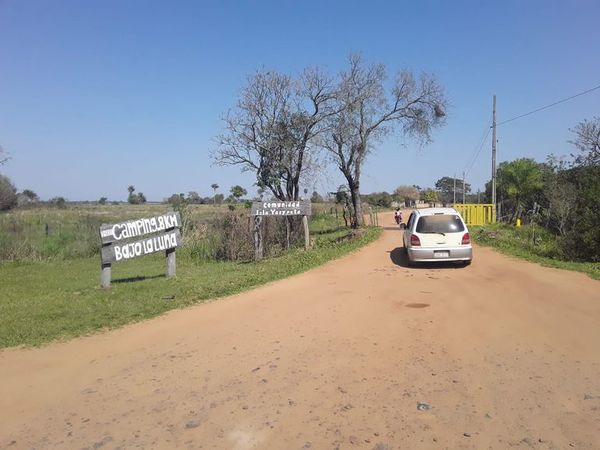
x: 121, y: 241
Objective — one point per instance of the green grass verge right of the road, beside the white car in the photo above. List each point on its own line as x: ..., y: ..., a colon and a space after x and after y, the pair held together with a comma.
x: 532, y: 243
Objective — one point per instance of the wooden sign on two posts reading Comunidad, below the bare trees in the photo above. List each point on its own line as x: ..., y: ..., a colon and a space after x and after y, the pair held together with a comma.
x: 278, y: 209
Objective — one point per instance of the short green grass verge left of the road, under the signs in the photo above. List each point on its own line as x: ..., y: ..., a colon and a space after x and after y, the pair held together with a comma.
x: 46, y: 301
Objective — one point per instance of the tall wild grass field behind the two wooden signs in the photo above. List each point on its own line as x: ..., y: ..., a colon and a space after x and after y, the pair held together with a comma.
x: 210, y: 232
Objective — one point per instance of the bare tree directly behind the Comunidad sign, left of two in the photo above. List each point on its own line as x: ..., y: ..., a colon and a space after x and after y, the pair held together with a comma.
x: 272, y: 129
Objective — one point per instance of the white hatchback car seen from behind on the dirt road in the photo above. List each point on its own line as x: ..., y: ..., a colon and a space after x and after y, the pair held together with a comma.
x: 437, y: 234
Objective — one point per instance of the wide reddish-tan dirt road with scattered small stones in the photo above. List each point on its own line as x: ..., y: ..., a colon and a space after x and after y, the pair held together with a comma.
x: 363, y: 352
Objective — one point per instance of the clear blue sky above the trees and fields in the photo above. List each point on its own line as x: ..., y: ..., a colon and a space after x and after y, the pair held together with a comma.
x: 98, y: 95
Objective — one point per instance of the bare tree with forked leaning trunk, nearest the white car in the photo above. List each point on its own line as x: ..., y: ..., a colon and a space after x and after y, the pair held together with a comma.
x: 368, y: 113
